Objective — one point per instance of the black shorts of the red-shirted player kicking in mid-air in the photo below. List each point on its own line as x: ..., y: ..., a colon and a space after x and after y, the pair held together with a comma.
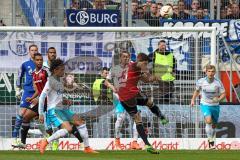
x: 131, y: 105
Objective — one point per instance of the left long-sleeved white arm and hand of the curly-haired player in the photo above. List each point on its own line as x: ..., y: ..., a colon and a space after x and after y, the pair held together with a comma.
x: 42, y: 102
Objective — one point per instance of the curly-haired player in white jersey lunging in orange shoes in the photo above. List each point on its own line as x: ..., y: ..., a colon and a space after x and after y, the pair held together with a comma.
x: 58, y: 111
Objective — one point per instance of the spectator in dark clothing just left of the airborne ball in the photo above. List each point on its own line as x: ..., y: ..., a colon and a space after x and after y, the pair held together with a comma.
x: 152, y: 17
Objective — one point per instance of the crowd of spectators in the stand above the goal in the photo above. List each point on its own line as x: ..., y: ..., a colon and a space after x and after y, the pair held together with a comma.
x: 149, y: 10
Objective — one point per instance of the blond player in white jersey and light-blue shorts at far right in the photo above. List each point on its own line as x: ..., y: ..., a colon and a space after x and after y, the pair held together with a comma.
x: 212, y: 92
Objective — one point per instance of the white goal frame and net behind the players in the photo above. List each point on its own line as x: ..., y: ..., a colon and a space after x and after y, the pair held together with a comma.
x: 87, y: 50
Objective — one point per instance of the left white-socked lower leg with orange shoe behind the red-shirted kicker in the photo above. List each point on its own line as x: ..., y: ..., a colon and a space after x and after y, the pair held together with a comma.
x: 118, y: 124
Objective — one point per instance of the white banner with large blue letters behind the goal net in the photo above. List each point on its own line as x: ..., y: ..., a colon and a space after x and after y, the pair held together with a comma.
x: 97, y: 48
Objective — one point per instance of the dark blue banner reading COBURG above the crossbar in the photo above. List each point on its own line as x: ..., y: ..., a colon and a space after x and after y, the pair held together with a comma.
x: 93, y: 18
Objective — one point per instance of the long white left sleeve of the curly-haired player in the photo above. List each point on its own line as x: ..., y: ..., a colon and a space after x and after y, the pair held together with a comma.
x: 42, y: 98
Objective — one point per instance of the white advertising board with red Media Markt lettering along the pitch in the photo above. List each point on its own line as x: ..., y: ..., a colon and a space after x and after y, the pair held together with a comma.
x: 108, y: 143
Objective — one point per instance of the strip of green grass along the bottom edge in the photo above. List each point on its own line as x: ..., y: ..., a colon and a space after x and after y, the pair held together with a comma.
x: 121, y: 155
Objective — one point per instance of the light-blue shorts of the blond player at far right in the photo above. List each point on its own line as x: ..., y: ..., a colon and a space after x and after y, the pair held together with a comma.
x: 212, y: 111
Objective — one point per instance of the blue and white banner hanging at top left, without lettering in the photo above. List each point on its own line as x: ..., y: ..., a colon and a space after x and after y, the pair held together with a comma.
x: 34, y: 11
